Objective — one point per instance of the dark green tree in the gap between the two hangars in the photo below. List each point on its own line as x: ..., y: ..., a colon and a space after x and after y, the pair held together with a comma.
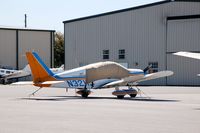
x: 59, y: 49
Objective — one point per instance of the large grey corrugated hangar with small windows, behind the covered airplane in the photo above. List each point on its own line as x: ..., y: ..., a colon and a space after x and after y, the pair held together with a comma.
x: 139, y: 36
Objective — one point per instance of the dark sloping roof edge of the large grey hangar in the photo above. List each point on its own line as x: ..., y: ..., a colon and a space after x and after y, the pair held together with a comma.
x: 128, y: 9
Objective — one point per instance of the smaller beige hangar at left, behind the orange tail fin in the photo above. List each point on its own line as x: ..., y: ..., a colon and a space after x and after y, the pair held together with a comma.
x: 15, y: 42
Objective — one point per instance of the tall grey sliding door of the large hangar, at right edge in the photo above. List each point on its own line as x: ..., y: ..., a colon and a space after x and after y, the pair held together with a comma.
x: 183, y: 35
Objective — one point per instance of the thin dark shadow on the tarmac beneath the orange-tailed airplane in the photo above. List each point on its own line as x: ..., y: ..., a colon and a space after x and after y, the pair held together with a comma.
x: 65, y: 98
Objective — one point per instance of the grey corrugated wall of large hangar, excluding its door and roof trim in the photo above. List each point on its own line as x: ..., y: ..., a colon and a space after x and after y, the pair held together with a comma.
x: 141, y: 32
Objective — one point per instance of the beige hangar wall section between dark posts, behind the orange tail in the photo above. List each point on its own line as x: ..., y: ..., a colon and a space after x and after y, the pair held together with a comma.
x: 37, y: 41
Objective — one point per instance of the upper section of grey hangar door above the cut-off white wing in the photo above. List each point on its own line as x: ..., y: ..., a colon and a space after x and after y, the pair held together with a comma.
x: 185, y: 33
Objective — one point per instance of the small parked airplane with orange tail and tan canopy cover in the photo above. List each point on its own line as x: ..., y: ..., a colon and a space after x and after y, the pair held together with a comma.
x: 93, y: 76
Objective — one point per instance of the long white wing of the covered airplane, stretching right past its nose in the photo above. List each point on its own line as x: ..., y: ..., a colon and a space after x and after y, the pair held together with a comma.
x: 134, y: 80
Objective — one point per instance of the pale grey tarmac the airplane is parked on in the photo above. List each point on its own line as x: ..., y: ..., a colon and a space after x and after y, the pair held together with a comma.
x: 52, y: 110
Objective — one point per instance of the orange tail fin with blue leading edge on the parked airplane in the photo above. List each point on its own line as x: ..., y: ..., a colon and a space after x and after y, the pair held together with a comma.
x: 40, y: 71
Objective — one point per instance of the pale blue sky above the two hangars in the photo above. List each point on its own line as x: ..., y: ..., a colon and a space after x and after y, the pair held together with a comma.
x: 49, y: 14
